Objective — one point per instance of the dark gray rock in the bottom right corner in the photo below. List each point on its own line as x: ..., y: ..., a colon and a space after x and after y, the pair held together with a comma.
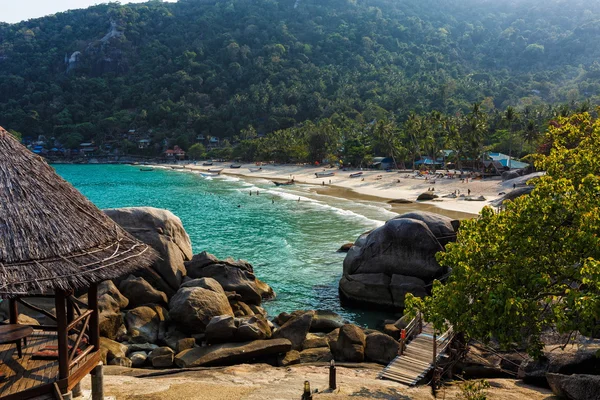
x: 575, y: 387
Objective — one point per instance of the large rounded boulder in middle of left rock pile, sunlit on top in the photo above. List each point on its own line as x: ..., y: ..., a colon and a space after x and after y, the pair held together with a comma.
x: 197, y: 302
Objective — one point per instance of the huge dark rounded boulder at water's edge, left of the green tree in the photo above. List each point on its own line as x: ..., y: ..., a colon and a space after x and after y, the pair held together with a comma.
x: 396, y: 259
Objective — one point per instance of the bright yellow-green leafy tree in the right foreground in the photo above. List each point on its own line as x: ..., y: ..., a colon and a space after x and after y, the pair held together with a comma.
x: 535, y: 265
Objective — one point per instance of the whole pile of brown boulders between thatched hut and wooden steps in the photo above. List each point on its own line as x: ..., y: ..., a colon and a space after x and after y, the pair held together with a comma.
x: 196, y: 310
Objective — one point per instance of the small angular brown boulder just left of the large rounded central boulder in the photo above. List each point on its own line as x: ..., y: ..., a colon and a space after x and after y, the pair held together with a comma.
x: 143, y: 323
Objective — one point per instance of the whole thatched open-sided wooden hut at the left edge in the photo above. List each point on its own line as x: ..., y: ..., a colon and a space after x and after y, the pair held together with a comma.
x: 53, y: 242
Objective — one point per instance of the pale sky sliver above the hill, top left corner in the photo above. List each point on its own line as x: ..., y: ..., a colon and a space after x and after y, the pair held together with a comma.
x: 18, y: 10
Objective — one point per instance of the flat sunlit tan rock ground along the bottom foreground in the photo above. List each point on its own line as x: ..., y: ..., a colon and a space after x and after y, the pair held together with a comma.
x: 261, y: 381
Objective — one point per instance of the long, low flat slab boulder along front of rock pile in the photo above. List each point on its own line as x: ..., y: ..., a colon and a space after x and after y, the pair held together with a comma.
x: 232, y: 353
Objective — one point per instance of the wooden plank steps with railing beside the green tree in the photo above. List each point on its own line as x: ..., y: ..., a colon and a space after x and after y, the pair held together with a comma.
x: 417, y: 360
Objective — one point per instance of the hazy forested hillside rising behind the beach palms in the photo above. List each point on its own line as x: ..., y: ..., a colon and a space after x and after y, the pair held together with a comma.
x: 219, y: 67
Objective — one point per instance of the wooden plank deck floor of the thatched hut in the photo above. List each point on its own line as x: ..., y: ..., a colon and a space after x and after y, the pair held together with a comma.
x: 26, y: 378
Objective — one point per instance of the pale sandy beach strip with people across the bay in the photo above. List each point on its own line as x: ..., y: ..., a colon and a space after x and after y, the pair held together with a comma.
x: 377, y: 186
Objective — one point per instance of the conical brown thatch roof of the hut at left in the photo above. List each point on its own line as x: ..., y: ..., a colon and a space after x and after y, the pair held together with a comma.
x: 51, y: 236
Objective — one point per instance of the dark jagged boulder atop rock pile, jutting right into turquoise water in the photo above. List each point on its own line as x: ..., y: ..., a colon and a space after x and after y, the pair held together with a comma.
x: 234, y: 276
